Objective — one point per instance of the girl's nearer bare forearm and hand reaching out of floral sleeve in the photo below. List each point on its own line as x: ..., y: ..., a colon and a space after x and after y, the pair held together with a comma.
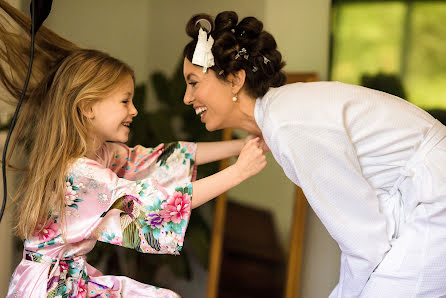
x: 250, y: 162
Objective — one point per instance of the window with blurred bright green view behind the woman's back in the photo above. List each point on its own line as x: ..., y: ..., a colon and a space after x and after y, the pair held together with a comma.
x: 404, y: 39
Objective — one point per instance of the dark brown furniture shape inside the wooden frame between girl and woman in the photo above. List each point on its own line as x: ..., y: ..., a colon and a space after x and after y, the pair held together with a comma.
x: 252, y: 259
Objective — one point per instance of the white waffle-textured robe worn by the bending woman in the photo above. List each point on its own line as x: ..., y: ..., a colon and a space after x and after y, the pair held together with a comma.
x: 373, y: 168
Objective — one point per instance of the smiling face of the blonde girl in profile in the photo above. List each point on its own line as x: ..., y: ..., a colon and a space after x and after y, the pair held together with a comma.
x: 111, y: 116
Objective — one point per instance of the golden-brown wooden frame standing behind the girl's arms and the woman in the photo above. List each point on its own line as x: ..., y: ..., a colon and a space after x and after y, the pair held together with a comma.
x: 293, y: 272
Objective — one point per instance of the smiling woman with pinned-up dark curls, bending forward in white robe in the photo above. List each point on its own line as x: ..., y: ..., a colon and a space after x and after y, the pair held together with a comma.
x: 370, y: 164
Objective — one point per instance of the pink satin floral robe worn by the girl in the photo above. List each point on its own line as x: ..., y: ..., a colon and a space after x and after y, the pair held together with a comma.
x: 138, y: 198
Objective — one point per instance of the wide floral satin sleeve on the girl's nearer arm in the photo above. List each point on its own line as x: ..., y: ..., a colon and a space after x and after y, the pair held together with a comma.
x: 144, y: 213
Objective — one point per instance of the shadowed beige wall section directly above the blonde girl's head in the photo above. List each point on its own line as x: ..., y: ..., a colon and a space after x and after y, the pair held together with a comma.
x: 116, y: 27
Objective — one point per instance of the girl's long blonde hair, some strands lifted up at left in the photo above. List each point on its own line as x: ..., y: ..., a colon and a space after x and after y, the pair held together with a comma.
x: 51, y: 124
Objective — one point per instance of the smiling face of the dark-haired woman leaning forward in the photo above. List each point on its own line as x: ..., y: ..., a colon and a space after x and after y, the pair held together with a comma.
x: 211, y: 98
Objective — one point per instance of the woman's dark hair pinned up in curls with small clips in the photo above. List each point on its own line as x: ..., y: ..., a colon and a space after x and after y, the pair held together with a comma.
x: 262, y: 61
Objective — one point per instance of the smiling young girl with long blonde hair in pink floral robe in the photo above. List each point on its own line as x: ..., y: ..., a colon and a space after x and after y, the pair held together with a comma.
x: 82, y: 184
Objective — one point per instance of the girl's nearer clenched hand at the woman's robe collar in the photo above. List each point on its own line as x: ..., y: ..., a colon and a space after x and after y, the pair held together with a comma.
x: 251, y: 159
